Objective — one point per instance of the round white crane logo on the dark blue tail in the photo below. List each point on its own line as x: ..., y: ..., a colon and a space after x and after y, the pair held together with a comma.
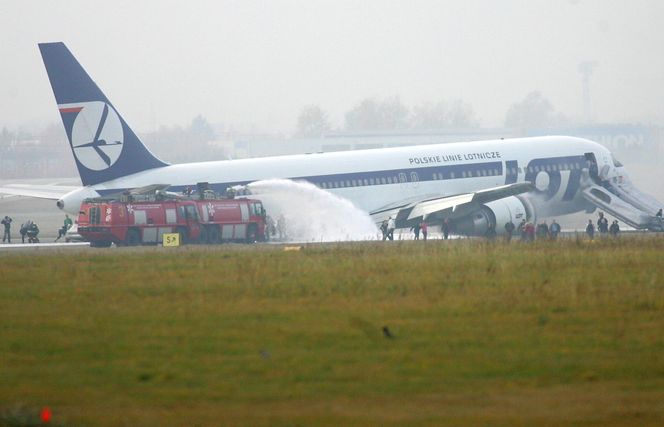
x: 97, y: 136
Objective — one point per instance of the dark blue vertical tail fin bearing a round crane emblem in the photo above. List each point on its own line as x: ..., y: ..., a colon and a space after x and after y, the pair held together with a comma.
x: 104, y: 146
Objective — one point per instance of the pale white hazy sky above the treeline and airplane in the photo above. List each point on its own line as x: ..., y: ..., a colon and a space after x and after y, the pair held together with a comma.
x: 257, y: 63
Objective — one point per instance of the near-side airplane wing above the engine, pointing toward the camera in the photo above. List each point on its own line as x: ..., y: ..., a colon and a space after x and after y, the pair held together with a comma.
x: 411, y: 211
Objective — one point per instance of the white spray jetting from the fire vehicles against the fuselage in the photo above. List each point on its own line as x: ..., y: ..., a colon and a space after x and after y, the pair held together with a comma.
x: 310, y: 214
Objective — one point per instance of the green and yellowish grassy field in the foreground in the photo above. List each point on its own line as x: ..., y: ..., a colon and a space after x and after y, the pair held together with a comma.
x: 548, y: 334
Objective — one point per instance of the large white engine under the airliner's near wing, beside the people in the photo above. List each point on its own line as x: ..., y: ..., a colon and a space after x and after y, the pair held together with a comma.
x: 497, y: 214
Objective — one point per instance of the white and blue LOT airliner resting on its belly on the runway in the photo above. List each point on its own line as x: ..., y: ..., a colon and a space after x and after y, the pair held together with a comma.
x: 475, y: 185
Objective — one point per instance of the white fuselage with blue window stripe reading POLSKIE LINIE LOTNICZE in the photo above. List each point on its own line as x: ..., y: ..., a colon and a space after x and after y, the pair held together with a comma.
x: 372, y: 179
